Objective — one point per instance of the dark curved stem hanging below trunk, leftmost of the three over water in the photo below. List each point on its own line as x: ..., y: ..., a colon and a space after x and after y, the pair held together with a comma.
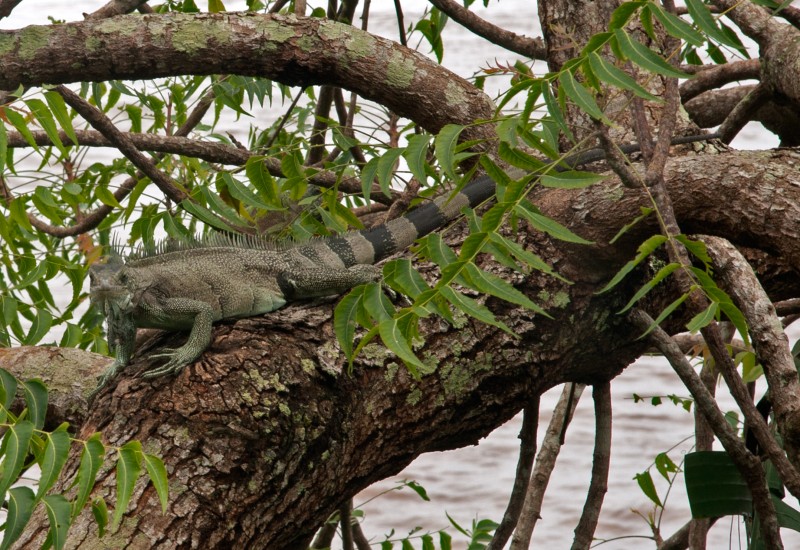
x: 527, y: 450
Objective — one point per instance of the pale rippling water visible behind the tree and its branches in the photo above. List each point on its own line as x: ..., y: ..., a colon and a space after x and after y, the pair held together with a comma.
x: 475, y: 482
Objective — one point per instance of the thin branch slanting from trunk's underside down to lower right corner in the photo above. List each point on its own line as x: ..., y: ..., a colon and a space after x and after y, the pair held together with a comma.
x: 748, y: 465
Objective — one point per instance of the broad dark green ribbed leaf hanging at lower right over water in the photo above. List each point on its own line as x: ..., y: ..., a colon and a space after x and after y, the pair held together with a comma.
x: 714, y: 485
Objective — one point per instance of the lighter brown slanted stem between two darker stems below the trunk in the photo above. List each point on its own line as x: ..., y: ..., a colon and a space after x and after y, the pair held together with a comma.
x: 545, y: 462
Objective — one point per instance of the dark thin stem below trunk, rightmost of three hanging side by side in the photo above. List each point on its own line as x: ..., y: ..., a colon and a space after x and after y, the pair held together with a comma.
x: 601, y: 461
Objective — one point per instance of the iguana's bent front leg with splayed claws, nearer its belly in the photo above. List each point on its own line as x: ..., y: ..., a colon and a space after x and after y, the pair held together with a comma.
x: 197, y: 313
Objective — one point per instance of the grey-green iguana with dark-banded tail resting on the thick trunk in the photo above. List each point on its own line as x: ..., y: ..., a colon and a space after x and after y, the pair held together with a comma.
x: 193, y: 286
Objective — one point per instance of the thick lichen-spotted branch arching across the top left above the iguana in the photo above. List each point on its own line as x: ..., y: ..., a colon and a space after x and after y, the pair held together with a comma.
x: 299, y: 51
